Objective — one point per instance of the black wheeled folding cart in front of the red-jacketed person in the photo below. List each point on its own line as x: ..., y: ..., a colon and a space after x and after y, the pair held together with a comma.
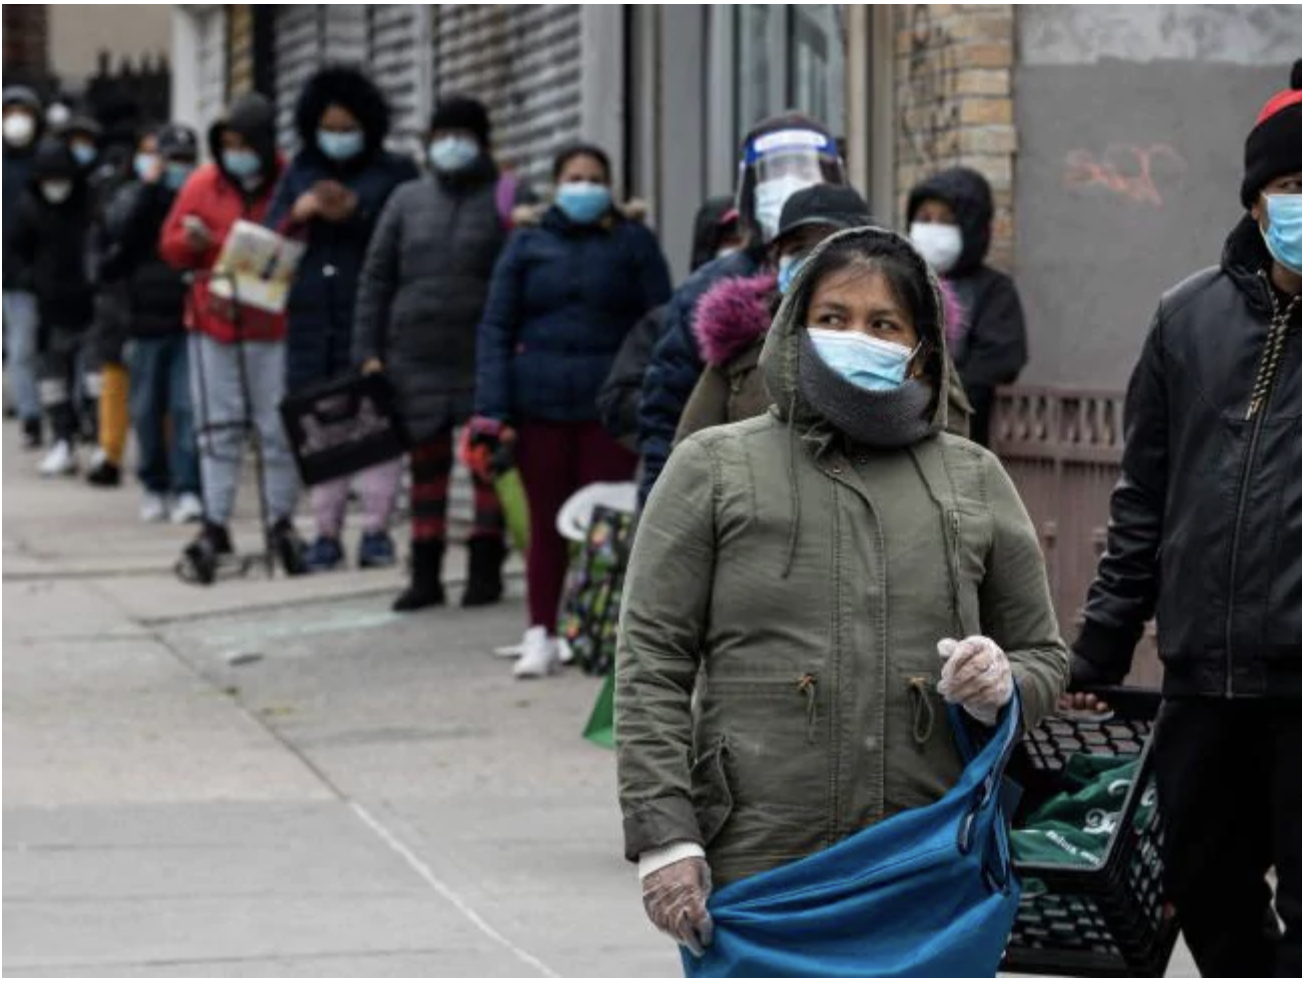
x: 195, y: 568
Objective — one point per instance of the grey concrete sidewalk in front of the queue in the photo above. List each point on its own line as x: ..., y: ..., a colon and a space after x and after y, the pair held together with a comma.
x: 282, y: 778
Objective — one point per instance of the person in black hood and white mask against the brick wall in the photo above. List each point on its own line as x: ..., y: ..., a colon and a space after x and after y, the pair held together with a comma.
x: 950, y: 222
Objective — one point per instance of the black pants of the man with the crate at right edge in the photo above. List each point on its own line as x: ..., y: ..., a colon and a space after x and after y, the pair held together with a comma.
x: 1230, y: 794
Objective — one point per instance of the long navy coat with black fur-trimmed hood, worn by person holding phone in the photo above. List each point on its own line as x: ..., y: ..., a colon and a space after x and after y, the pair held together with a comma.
x: 321, y: 302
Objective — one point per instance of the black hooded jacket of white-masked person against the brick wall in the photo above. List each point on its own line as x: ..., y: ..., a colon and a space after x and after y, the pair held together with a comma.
x: 992, y: 349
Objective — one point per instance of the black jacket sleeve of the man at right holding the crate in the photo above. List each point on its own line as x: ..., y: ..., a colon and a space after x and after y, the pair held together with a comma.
x: 1127, y: 581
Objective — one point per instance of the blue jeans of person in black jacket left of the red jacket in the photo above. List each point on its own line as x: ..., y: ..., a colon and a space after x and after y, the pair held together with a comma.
x: 160, y: 370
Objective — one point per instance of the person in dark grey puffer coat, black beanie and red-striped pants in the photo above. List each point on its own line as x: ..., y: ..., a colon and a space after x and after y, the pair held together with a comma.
x: 421, y: 297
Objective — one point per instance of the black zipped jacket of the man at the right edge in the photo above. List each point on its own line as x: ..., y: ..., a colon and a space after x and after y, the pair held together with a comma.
x: 1206, y: 522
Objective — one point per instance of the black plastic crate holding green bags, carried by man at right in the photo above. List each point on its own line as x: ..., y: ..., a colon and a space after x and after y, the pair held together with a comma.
x: 1104, y: 921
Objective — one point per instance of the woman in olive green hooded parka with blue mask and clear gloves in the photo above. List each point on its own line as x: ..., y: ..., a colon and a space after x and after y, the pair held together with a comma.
x: 809, y: 586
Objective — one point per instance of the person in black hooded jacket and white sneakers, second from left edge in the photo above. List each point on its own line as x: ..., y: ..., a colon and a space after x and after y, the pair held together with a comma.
x: 50, y: 241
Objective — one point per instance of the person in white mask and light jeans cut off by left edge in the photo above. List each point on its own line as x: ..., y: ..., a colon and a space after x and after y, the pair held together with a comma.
x: 23, y: 127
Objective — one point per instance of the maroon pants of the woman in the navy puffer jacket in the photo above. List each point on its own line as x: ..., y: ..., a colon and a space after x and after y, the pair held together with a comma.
x: 556, y: 461
